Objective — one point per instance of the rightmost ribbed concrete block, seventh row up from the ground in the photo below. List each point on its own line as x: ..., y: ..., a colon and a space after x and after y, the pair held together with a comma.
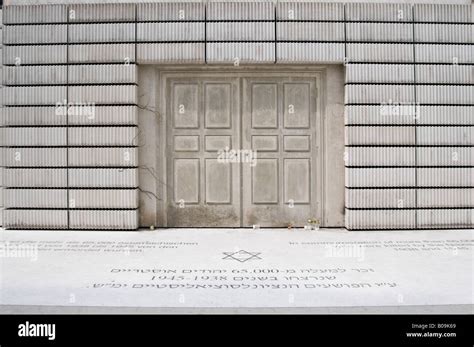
x: 428, y: 94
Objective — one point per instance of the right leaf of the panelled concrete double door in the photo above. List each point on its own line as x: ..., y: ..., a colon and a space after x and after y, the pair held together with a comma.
x: 281, y: 188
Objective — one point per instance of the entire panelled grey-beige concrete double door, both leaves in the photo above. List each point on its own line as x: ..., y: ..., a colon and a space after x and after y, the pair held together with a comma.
x: 241, y: 151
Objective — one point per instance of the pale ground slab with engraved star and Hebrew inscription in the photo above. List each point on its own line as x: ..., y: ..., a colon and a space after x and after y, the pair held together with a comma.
x: 237, y: 271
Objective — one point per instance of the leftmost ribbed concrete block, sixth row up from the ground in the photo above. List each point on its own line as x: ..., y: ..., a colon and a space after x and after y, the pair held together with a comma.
x: 32, y: 116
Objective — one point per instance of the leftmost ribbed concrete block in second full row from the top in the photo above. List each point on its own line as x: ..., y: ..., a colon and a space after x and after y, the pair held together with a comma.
x: 34, y: 34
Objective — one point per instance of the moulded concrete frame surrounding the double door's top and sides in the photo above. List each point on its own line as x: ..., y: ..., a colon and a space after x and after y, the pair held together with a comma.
x: 164, y: 73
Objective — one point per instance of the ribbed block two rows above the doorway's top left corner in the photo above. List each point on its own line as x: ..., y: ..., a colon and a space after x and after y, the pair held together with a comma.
x: 171, y: 31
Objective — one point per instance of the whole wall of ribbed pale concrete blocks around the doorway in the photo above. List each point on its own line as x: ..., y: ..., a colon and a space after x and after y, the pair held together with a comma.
x: 409, y: 102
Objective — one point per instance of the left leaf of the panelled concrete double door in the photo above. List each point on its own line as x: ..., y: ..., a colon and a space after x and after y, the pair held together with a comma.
x: 206, y: 119
